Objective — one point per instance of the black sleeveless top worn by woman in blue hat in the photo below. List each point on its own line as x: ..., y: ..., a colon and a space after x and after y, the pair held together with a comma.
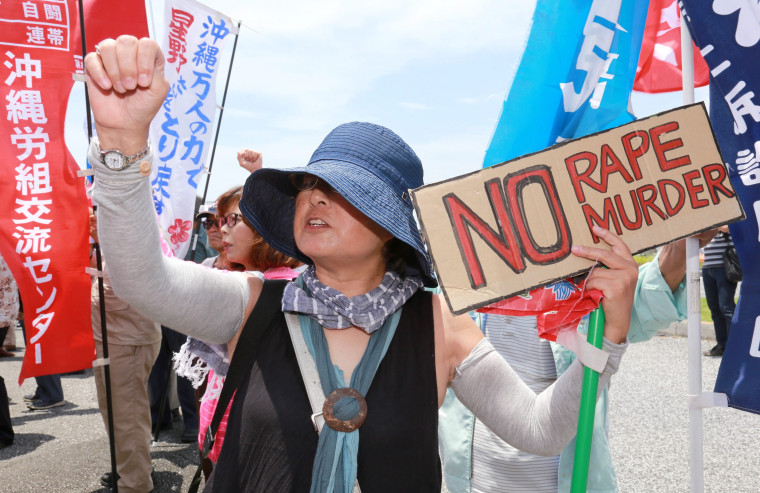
x: 270, y: 442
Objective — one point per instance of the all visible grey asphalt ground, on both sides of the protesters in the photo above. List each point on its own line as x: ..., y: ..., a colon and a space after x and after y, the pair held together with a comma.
x: 66, y: 449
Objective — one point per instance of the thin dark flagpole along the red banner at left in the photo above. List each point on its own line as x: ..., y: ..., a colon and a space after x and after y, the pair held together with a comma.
x: 101, y: 289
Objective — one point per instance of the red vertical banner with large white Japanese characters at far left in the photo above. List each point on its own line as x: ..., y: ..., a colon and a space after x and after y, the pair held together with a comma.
x: 44, y: 219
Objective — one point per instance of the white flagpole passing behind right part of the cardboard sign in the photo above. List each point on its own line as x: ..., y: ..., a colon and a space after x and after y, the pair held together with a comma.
x: 696, y: 455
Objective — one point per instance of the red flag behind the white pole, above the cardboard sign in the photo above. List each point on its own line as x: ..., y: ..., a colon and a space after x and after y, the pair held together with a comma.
x: 660, y: 65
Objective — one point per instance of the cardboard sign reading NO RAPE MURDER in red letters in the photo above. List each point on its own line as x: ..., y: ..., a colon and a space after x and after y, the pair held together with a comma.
x: 505, y: 229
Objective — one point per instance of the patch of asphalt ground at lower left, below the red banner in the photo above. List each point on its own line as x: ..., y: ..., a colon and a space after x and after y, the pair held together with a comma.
x: 65, y: 449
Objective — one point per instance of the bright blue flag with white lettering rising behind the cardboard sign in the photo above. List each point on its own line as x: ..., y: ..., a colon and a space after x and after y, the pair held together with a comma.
x: 575, y: 76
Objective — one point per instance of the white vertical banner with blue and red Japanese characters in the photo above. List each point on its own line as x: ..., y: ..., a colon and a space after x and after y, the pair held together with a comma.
x: 181, y: 133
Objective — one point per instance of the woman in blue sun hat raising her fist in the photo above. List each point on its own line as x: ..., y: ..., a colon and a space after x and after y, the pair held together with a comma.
x: 358, y: 312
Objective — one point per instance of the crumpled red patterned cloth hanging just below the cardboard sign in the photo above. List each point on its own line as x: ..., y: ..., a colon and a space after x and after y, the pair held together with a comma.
x: 558, y: 307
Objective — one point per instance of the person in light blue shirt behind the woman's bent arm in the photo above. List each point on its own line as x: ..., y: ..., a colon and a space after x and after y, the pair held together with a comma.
x: 475, y: 460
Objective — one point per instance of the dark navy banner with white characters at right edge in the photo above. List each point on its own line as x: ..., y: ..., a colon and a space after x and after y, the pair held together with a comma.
x: 728, y: 35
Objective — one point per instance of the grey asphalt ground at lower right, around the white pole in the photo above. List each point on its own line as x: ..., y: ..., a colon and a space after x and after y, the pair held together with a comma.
x: 649, y: 422
